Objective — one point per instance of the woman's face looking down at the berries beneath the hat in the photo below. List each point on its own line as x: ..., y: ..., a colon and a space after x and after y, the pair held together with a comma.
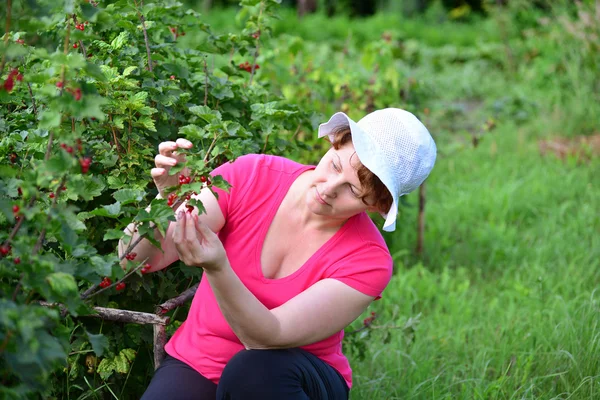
x: 335, y: 189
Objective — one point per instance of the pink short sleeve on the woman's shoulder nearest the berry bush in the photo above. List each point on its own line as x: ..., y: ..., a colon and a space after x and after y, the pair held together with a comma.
x: 238, y: 174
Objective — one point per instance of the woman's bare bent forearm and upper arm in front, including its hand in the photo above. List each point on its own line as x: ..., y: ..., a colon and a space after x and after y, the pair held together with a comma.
x: 315, y: 314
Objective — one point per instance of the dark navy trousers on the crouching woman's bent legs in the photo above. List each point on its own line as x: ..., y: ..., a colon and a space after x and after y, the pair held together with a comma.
x: 252, y: 374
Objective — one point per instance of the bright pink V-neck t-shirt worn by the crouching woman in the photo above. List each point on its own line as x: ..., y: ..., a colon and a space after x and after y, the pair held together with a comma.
x: 356, y: 255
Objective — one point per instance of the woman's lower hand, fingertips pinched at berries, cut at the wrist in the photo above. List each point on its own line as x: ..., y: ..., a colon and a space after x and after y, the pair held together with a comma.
x: 196, y: 244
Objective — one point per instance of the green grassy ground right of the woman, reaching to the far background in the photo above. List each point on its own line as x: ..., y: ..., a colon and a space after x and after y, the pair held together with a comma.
x: 506, y: 293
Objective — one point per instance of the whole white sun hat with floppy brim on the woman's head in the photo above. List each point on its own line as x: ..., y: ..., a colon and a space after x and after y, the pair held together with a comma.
x: 394, y: 145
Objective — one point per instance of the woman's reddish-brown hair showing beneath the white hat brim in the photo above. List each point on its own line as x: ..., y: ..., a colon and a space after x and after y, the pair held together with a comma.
x: 371, y: 184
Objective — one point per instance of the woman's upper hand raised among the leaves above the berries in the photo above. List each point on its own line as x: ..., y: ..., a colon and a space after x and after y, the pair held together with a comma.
x: 168, y: 157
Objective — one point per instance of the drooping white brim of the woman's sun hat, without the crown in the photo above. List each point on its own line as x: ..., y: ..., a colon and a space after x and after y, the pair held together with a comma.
x: 369, y: 155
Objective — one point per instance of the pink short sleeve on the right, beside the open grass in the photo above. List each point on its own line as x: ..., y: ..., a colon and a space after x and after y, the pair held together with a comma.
x: 368, y: 270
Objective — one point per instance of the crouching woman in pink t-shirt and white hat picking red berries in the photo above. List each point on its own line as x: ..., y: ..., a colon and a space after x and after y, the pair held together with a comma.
x: 290, y: 259
